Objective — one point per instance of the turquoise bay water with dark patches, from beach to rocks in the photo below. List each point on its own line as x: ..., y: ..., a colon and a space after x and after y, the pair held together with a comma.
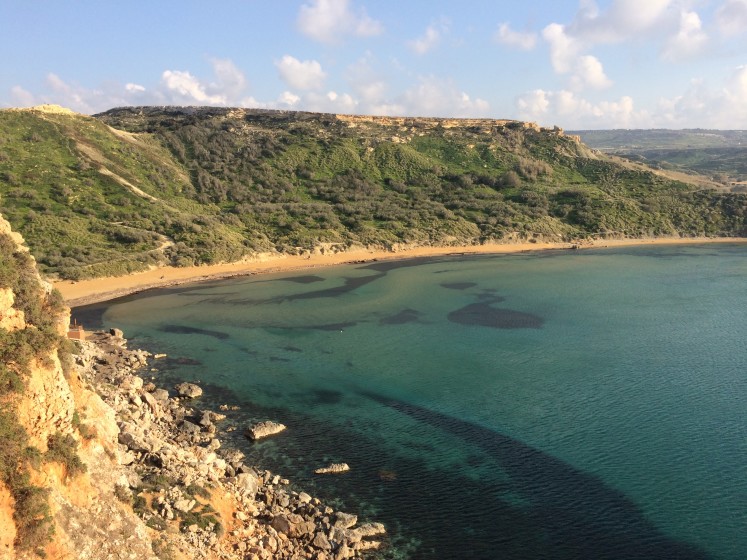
x: 582, y: 404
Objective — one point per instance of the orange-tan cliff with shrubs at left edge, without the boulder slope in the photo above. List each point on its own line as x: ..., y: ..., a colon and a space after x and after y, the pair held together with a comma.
x: 57, y: 493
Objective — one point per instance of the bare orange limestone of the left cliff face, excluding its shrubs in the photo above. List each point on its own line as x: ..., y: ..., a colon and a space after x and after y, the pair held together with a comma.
x: 89, y: 521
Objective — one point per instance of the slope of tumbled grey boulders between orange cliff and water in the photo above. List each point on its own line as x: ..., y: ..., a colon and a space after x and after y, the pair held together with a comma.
x: 199, y: 499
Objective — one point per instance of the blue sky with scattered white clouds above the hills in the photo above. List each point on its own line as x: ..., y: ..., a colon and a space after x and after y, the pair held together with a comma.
x: 577, y: 64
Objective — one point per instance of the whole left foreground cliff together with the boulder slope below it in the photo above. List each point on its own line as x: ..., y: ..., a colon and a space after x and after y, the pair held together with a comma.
x: 96, y: 463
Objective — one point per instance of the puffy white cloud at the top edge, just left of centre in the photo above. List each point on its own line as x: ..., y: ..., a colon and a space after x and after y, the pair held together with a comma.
x: 328, y: 21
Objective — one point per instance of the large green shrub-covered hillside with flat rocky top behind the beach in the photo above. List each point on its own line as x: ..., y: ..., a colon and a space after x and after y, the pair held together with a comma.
x: 142, y: 186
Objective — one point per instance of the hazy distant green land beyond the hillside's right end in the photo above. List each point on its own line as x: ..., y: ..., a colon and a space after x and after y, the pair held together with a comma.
x: 718, y: 154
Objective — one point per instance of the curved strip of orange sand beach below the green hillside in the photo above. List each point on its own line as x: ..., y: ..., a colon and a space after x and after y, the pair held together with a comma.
x: 97, y: 290
